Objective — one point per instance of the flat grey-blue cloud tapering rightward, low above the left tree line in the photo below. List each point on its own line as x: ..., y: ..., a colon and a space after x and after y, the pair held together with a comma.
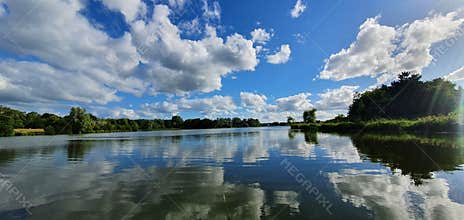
x: 36, y: 82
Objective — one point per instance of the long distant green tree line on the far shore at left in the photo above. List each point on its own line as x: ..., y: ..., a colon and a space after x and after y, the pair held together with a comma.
x: 78, y: 121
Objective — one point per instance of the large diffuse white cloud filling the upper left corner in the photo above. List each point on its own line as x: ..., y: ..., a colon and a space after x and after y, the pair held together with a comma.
x: 69, y: 45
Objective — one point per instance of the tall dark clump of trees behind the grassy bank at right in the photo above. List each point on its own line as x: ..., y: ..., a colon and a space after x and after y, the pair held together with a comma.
x: 408, y: 97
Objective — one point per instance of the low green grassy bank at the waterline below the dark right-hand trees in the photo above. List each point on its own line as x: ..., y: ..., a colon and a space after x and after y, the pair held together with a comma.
x: 430, y: 124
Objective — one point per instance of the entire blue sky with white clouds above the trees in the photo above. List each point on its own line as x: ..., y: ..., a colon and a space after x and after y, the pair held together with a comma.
x: 205, y: 58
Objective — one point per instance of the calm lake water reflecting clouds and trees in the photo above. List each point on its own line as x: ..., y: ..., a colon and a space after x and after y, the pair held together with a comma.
x: 256, y: 173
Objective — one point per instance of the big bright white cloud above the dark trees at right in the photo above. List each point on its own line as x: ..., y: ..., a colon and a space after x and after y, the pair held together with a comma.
x: 382, y: 51
